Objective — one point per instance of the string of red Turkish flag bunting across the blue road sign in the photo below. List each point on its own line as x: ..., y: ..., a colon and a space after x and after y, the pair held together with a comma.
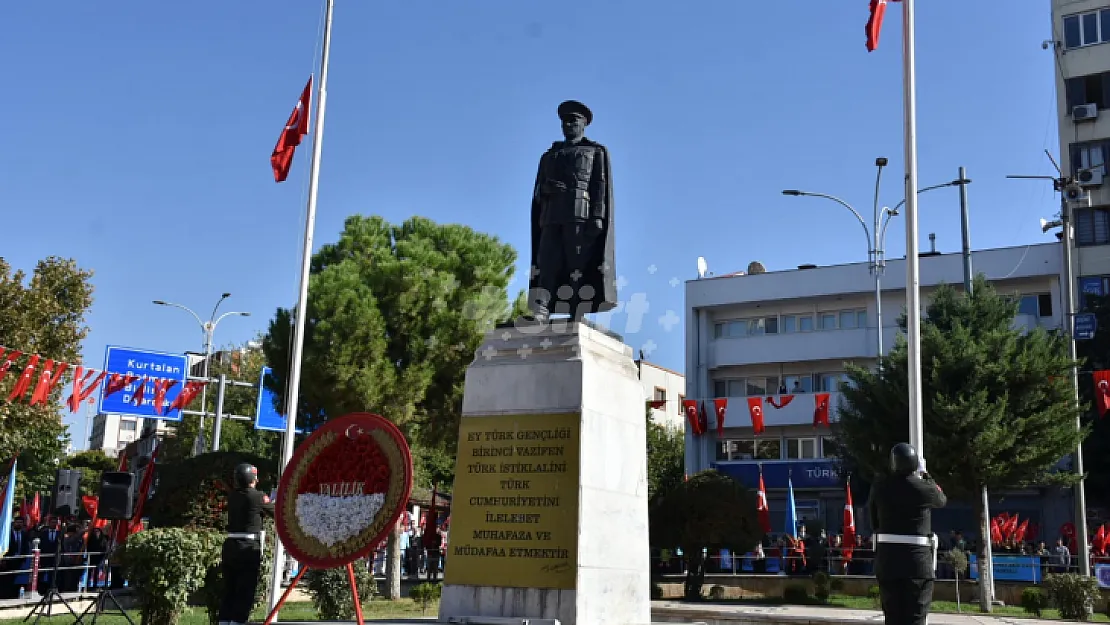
x: 42, y: 377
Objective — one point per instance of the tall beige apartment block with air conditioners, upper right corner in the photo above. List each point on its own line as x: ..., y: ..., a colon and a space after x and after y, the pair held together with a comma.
x: 1082, y: 45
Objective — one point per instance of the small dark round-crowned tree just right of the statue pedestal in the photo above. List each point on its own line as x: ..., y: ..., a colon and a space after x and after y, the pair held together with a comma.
x: 711, y: 511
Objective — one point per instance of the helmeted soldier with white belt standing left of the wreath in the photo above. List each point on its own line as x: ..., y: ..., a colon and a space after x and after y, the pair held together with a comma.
x: 243, y: 550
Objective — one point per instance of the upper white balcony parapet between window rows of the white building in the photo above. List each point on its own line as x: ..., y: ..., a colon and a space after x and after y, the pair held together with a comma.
x: 832, y: 345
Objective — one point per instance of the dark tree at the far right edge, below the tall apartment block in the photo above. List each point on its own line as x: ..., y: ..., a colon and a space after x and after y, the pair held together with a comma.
x: 1096, y: 357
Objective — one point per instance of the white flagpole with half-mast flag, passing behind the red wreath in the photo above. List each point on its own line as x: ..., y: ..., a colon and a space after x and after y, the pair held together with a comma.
x: 302, y: 303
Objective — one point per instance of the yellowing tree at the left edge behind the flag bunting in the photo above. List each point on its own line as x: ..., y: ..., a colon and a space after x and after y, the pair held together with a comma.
x: 43, y: 315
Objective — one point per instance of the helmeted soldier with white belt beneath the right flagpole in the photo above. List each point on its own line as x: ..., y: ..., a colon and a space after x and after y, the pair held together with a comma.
x: 906, y: 550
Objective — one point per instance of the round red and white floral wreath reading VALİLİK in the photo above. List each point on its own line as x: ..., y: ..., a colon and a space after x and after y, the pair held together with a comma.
x: 344, y: 491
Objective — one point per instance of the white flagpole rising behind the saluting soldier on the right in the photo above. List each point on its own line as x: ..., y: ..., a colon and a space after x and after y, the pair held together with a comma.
x: 913, y: 268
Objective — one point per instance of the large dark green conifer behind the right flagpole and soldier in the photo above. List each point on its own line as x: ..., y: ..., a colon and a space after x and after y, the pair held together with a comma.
x: 997, y: 407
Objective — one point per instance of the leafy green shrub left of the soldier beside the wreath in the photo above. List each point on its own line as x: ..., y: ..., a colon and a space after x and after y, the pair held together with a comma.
x: 166, y: 566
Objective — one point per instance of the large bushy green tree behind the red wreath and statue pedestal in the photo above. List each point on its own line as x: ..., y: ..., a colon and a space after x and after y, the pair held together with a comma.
x: 396, y: 315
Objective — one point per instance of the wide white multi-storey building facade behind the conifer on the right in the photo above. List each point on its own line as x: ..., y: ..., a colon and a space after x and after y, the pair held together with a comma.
x: 785, y: 337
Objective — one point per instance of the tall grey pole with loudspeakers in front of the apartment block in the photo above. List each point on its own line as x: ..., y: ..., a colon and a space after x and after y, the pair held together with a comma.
x: 1069, y: 319
